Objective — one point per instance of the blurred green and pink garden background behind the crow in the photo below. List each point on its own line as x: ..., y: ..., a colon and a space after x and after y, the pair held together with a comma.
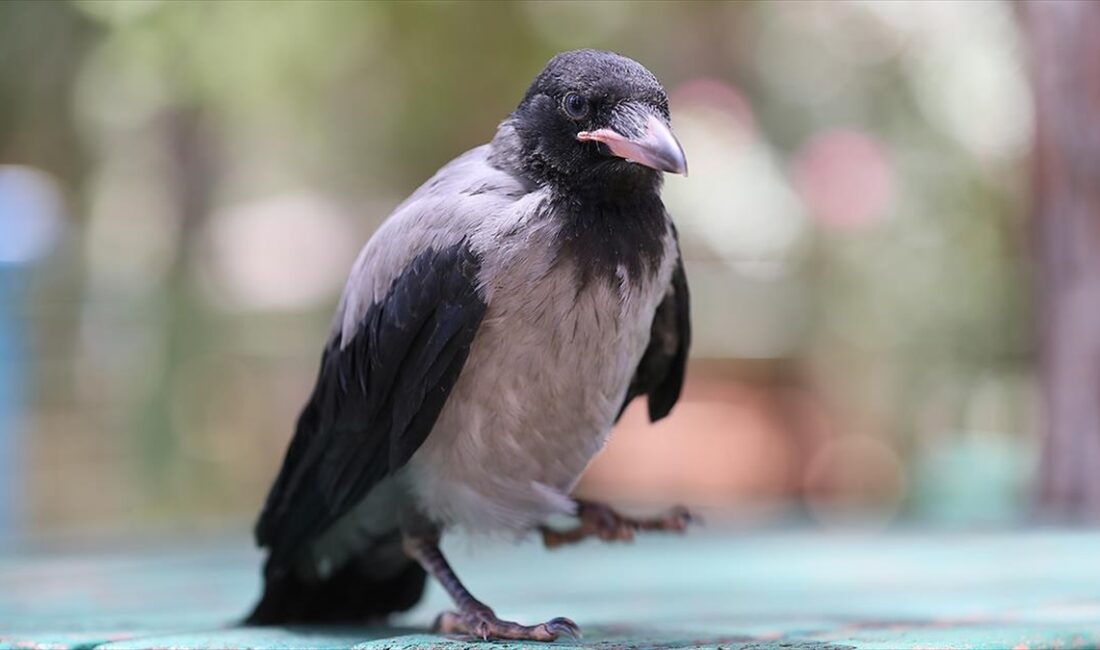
x: 892, y: 232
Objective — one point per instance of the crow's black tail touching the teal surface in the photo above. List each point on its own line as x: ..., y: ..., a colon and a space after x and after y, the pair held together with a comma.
x: 348, y: 597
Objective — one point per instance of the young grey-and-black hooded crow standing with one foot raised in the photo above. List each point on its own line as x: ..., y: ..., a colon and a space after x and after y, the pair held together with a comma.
x: 491, y: 334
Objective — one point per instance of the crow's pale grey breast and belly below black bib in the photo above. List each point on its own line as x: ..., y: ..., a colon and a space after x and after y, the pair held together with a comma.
x: 546, y: 377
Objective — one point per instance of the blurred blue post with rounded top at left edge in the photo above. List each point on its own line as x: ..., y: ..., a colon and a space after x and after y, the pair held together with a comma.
x: 30, y: 223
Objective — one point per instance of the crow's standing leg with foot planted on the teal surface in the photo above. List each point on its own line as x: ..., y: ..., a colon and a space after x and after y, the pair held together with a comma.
x: 475, y: 618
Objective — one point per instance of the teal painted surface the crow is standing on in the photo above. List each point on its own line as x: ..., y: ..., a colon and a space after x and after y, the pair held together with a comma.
x: 707, y: 590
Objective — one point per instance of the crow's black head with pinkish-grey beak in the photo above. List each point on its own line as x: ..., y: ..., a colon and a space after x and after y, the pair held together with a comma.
x: 595, y: 118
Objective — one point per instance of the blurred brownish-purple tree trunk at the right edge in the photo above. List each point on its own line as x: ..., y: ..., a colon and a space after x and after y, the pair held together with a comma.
x: 1066, y: 70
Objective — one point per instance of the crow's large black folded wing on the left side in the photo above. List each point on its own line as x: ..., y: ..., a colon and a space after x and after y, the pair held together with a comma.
x: 376, y: 401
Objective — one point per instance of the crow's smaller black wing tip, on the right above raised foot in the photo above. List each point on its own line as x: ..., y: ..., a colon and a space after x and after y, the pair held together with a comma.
x: 661, y: 374
